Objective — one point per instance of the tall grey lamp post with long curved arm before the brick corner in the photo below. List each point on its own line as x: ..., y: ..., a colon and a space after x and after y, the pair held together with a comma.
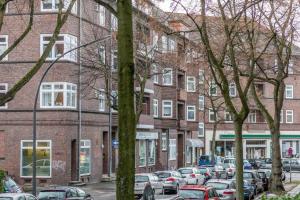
x: 35, y: 105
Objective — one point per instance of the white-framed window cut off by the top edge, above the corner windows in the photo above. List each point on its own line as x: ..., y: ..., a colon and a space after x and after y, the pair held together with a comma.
x: 53, y: 5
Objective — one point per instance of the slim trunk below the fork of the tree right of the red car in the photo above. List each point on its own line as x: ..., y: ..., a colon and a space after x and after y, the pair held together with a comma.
x: 238, y: 127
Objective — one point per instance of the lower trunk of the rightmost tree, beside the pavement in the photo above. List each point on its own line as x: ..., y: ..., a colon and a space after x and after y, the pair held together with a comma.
x: 276, y: 182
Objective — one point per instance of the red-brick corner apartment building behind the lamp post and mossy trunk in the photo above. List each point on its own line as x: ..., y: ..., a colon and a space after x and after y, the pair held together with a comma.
x: 70, y: 106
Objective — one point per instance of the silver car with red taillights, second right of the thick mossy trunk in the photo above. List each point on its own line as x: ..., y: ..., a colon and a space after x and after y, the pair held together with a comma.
x: 172, y: 180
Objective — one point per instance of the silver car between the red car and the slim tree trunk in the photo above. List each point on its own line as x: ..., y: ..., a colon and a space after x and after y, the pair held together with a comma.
x: 225, y: 188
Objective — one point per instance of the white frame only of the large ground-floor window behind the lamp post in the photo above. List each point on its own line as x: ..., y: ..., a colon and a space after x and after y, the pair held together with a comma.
x: 37, y: 147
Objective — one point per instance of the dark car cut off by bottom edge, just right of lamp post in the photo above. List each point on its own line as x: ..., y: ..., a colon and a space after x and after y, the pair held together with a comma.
x: 62, y: 193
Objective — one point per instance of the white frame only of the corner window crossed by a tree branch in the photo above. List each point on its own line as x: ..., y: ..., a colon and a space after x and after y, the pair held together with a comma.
x: 70, y: 42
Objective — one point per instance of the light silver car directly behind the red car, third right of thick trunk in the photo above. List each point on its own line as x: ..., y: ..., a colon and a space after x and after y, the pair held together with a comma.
x: 192, y: 175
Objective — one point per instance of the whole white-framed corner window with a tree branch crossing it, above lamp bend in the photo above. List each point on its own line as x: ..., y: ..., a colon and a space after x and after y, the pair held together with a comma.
x: 64, y: 43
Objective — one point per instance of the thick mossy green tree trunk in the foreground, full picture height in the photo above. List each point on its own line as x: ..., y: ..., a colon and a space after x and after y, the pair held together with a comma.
x: 126, y: 111
